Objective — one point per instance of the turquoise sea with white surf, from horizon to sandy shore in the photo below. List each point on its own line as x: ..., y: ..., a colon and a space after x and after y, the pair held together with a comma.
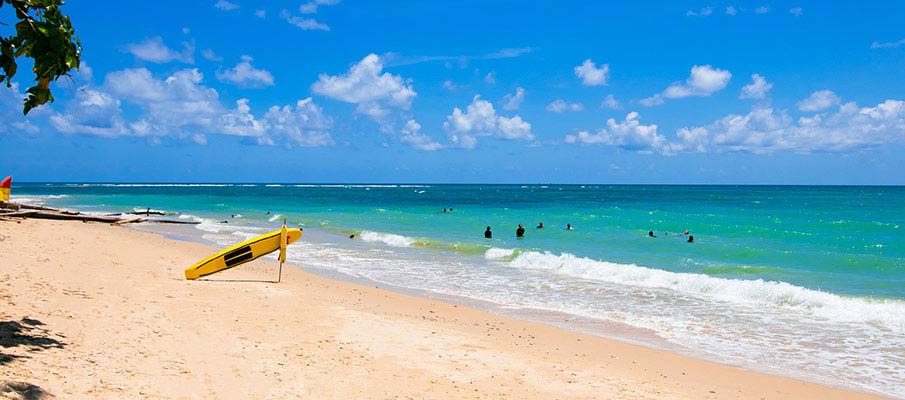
x: 803, y: 281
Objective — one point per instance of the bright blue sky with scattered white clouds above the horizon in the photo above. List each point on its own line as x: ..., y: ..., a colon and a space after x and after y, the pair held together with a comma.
x: 801, y: 92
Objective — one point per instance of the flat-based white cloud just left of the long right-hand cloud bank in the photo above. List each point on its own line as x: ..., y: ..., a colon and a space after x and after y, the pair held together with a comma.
x: 628, y: 134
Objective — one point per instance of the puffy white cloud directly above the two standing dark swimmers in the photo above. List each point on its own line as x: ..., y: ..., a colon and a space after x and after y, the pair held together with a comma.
x: 480, y: 119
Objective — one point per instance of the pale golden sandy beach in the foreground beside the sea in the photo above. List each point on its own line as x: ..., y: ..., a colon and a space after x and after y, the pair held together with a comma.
x: 95, y: 311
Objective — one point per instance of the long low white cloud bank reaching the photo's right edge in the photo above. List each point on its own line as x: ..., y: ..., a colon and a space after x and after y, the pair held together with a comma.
x: 765, y: 130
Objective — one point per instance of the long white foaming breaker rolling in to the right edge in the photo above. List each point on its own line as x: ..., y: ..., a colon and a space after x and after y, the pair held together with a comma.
x: 889, y: 313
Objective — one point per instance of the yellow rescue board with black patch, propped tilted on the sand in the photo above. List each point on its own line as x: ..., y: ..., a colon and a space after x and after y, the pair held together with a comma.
x: 243, y: 252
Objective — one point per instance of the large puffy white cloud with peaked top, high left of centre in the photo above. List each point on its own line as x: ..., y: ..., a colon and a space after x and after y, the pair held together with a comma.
x: 366, y: 85
